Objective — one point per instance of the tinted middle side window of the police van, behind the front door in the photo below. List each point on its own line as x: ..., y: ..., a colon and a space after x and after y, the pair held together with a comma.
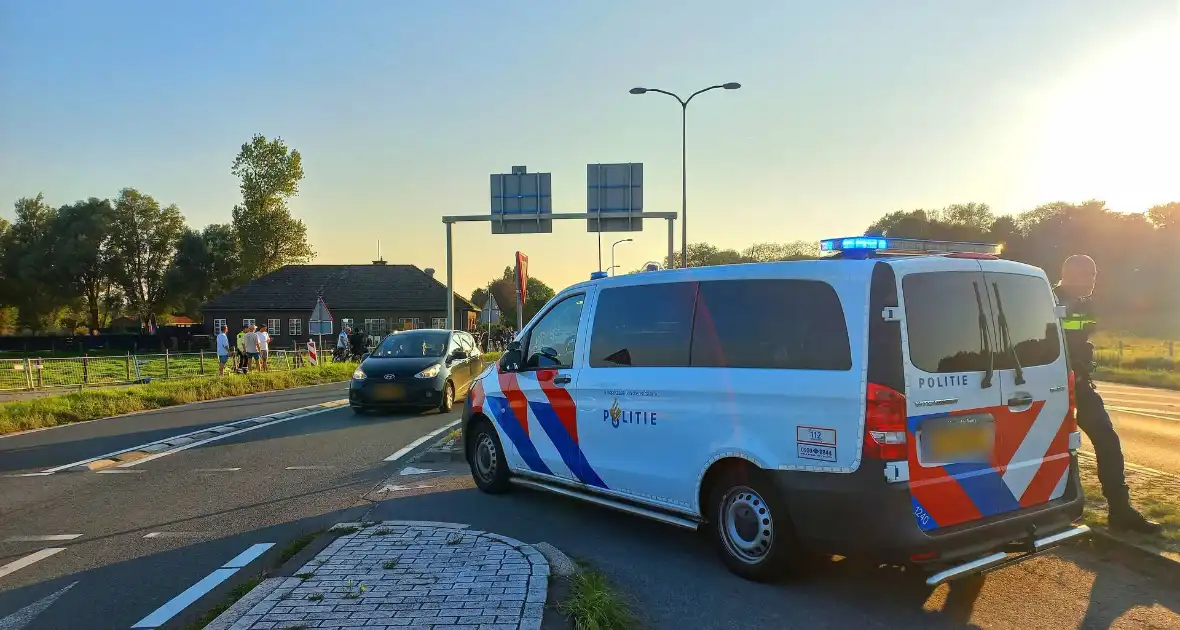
x: 644, y: 326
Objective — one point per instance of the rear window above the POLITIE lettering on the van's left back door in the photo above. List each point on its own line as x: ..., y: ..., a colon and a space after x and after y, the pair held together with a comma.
x: 942, y: 320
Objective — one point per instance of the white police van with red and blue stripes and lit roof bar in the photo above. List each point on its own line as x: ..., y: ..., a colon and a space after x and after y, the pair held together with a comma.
x: 903, y: 401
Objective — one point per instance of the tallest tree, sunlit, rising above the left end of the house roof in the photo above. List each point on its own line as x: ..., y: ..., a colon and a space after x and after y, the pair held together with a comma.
x: 270, y: 237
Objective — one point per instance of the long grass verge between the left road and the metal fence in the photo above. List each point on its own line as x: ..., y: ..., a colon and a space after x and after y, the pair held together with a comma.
x: 93, y: 405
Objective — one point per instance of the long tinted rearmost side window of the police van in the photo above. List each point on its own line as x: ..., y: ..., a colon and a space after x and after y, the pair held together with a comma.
x: 770, y: 324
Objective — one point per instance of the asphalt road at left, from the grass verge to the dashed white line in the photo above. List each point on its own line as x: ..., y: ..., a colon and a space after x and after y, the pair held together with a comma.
x: 205, y: 506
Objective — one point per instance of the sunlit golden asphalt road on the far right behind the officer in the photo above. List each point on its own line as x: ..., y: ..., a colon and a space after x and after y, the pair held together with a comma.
x: 1149, y: 425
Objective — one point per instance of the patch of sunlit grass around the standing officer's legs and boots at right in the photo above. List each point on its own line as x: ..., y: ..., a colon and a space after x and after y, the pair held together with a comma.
x: 1156, y: 497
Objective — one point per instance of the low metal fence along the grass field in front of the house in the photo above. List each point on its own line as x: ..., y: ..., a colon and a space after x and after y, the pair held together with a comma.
x: 78, y: 372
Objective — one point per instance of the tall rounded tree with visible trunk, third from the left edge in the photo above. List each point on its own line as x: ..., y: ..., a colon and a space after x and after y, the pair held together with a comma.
x: 143, y: 245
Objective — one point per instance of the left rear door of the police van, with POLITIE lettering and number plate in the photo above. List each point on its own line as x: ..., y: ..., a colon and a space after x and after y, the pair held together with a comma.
x: 953, y: 396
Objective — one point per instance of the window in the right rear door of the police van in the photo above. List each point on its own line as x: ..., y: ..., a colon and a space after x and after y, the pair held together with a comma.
x: 1032, y: 321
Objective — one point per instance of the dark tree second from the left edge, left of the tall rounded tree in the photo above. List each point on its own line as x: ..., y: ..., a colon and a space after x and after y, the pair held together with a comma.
x: 82, y: 240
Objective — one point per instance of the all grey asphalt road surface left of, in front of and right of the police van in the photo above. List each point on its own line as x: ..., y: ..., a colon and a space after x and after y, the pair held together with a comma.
x: 148, y: 536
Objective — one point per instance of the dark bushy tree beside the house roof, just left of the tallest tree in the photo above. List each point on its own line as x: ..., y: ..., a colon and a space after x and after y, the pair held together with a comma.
x: 207, y: 265
